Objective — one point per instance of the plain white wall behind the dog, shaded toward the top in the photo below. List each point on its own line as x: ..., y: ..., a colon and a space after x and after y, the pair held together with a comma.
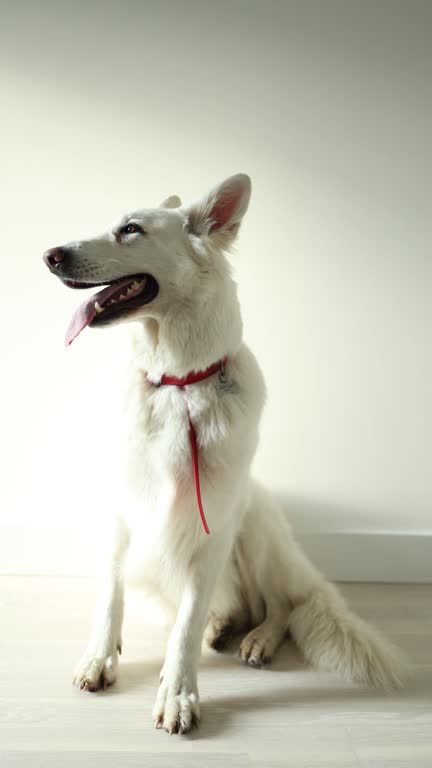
x: 327, y: 106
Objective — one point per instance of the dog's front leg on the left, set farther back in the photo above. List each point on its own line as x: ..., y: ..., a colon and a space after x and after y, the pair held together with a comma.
x: 97, y: 667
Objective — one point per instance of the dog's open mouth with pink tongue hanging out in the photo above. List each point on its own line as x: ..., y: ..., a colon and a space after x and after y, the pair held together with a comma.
x: 115, y: 299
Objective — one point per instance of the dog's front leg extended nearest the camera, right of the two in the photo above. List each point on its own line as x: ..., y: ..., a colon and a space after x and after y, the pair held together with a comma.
x: 177, y: 702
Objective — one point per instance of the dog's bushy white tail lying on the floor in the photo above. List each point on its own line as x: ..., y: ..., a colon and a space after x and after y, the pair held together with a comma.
x: 332, y: 637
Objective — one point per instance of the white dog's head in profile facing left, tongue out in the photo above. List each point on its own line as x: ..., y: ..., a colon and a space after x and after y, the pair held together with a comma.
x: 155, y: 261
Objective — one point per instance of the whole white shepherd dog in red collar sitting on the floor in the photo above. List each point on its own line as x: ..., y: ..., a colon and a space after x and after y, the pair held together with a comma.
x: 166, y: 269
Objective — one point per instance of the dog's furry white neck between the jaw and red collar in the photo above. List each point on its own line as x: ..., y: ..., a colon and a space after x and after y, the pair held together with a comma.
x: 189, y: 340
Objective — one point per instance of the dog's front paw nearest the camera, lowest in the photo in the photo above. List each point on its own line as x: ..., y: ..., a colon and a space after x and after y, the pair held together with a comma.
x: 177, y: 707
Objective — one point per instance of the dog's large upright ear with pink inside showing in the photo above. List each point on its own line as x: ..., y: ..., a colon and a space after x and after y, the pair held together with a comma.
x: 219, y: 214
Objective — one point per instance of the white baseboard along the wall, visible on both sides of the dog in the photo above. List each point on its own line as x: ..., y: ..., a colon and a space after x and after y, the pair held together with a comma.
x: 341, y: 556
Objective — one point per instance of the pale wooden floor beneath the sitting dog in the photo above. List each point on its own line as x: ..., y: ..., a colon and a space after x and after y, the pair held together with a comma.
x: 288, y: 715
